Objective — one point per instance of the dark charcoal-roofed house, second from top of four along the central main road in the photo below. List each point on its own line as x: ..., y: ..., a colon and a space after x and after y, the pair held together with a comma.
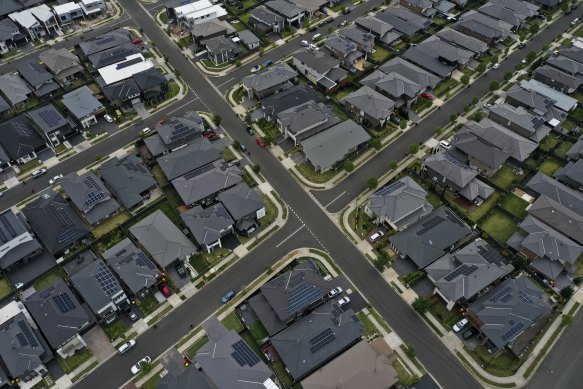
x: 286, y: 99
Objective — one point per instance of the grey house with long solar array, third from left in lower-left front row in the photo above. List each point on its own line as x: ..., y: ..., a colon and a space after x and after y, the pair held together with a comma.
x: 100, y: 289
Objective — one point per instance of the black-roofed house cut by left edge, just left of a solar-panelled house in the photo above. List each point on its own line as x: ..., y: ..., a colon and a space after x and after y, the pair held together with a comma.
x: 19, y: 140
